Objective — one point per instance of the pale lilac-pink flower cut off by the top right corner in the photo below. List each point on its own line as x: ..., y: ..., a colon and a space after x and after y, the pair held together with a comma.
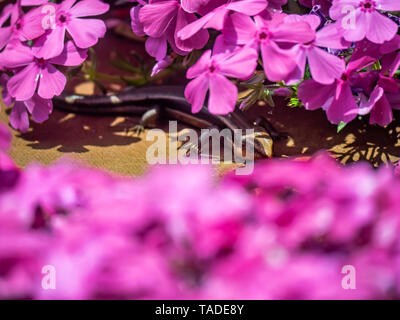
x: 363, y: 18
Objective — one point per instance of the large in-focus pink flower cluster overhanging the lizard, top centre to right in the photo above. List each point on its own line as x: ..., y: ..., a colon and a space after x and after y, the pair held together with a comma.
x: 286, y: 43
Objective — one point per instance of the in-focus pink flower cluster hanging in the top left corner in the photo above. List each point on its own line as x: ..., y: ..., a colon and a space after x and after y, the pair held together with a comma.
x: 34, y: 42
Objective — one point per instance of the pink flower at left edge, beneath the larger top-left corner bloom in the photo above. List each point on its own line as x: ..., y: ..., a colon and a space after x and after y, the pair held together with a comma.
x: 37, y: 73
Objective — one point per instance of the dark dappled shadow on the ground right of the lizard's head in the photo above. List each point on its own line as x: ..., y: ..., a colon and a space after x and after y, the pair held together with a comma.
x: 309, y: 132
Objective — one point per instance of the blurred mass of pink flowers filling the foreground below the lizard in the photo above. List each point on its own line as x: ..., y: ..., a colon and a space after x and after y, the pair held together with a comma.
x: 285, y: 232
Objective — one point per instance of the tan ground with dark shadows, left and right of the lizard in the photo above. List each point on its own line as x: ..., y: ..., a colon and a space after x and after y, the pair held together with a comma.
x: 103, y: 142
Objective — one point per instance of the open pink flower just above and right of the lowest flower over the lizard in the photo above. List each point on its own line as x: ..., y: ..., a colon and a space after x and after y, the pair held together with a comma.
x: 267, y: 35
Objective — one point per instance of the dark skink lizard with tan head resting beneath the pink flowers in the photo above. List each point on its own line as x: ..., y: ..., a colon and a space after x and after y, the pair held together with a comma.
x: 154, y: 102
